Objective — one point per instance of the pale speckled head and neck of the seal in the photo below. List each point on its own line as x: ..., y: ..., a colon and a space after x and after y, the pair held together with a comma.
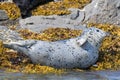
x: 95, y: 35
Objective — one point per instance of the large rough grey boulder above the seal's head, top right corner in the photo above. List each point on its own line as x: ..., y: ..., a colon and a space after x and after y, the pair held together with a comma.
x: 103, y: 11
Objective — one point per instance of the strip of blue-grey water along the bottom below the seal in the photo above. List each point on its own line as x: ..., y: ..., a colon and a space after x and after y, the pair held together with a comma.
x: 99, y: 75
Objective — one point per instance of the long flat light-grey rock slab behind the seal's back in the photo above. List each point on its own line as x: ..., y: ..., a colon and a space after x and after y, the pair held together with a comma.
x: 40, y: 23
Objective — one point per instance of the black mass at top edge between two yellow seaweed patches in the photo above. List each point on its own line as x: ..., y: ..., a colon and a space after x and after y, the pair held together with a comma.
x: 27, y: 5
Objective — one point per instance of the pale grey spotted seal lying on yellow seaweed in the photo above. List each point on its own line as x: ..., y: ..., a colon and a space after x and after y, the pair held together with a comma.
x: 79, y: 52
